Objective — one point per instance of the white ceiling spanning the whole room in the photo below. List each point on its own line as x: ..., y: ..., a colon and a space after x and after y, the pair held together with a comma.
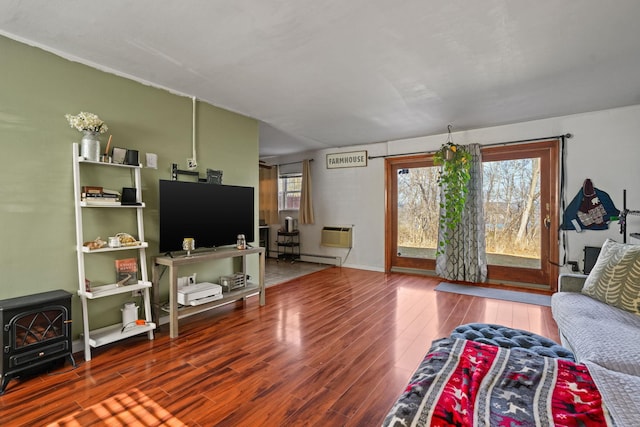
x: 334, y: 73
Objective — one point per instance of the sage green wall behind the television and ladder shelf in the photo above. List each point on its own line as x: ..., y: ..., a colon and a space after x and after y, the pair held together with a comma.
x: 36, y: 189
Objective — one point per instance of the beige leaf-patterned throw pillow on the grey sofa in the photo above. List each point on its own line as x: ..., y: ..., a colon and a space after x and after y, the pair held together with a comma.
x: 615, y: 278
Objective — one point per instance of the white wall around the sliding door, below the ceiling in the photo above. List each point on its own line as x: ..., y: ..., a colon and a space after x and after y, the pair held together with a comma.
x: 605, y: 148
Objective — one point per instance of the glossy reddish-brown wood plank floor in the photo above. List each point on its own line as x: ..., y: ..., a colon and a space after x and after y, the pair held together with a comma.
x: 334, y: 348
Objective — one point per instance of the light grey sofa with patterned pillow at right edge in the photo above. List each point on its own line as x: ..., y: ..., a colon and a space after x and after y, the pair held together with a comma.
x: 597, y: 320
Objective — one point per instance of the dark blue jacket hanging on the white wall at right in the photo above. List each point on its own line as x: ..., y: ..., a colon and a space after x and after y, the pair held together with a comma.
x: 591, y: 209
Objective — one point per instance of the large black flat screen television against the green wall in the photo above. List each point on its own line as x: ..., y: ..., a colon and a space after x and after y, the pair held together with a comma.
x: 212, y: 214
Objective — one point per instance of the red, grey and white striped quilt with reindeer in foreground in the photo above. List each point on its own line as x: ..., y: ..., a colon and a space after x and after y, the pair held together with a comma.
x: 467, y: 383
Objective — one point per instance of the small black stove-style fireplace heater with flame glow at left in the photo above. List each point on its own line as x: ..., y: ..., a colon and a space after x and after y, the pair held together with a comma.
x: 36, y: 330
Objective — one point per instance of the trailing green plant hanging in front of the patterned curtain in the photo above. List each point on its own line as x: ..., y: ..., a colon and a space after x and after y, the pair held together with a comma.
x: 455, y: 162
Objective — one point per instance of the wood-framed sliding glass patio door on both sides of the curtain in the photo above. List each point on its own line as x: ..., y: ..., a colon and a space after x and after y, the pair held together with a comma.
x: 520, y: 189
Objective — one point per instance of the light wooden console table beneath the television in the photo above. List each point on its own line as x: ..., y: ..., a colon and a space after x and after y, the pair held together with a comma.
x: 174, y: 263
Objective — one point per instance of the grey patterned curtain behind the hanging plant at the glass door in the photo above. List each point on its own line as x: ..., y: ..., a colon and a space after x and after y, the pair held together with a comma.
x: 465, y: 258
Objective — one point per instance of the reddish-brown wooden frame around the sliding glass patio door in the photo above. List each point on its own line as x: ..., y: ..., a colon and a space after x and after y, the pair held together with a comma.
x: 550, y: 192
